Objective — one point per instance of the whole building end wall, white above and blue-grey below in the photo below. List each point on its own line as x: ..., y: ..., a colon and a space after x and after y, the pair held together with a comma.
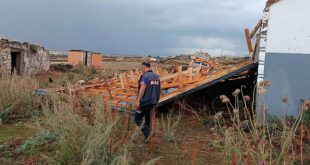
x: 284, y: 56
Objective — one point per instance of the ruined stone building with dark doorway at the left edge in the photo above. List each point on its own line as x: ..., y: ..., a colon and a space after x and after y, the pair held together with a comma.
x: 22, y: 57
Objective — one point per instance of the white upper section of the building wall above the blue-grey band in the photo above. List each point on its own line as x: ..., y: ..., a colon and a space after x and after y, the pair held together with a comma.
x: 289, y: 27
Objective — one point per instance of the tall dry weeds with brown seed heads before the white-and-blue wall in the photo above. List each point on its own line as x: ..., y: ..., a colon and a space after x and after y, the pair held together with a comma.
x: 253, y: 139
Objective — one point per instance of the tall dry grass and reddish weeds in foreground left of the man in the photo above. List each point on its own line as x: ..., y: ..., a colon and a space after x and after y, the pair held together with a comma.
x: 84, y: 139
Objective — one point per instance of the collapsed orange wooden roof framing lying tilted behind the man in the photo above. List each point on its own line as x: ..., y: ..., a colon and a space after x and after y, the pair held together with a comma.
x: 121, y: 91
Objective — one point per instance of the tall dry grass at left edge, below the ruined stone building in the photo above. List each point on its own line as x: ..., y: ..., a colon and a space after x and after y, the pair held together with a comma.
x: 16, y: 100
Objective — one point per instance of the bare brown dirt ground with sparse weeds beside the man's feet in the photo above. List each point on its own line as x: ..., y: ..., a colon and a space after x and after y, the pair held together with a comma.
x: 192, y: 145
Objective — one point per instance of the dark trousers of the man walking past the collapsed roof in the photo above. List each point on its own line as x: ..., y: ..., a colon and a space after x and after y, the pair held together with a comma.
x: 144, y: 111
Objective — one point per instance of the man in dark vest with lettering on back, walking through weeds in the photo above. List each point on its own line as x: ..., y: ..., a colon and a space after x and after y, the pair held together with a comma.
x: 148, y: 97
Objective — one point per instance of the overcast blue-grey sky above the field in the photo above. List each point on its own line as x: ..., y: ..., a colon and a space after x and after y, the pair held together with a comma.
x: 157, y: 27
